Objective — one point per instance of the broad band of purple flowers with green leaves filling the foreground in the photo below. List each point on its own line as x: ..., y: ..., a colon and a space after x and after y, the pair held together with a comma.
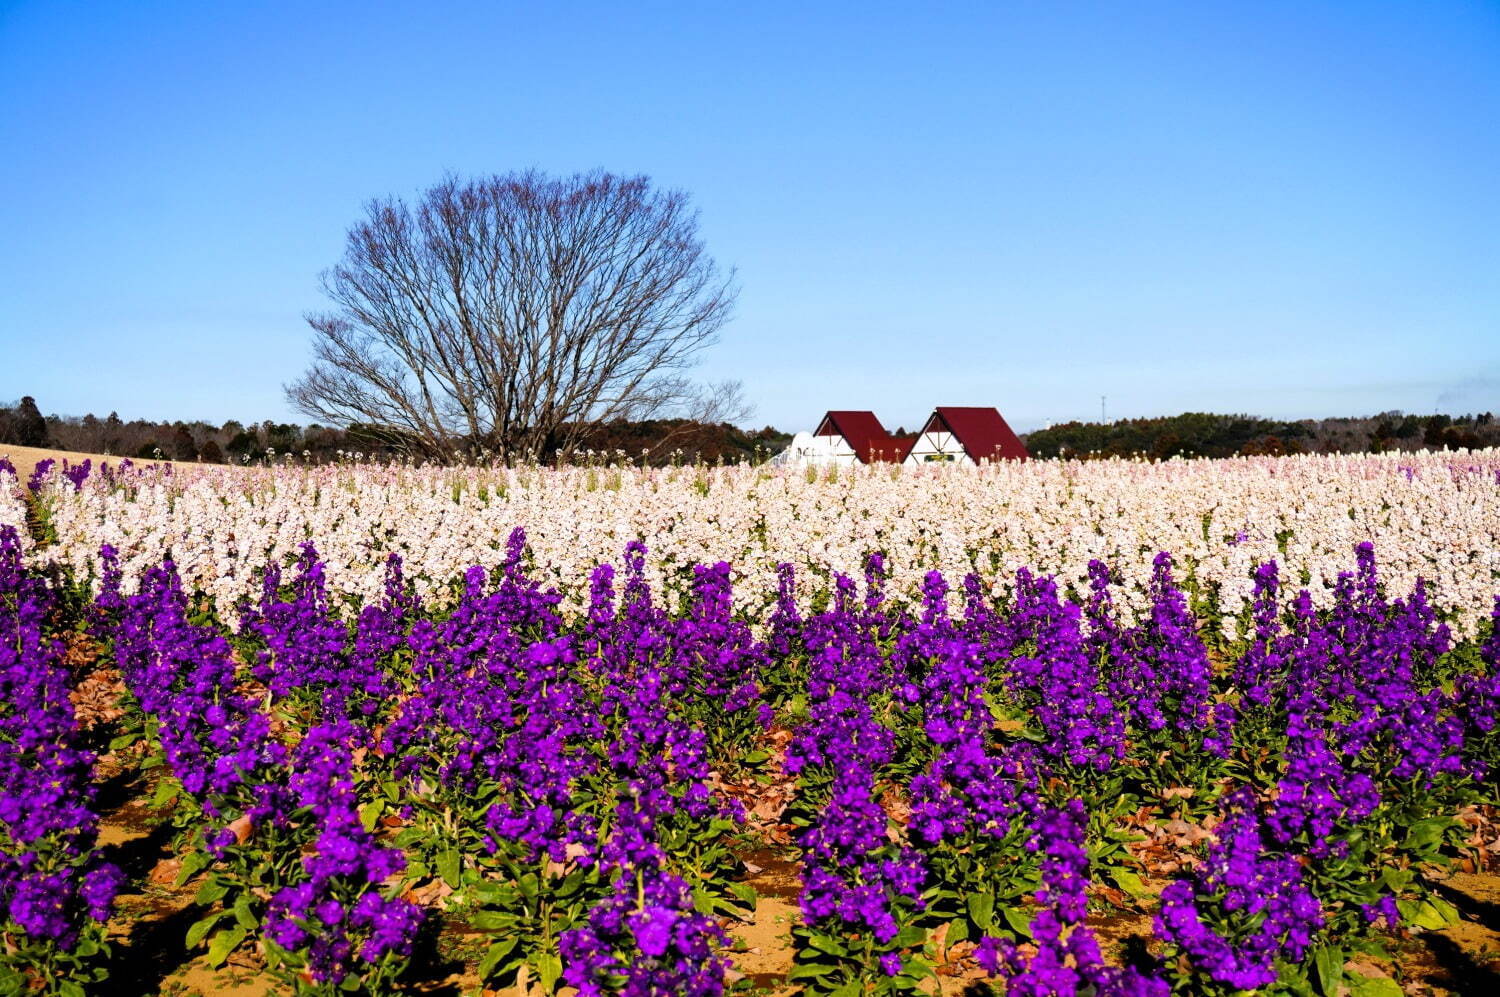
x: 961, y: 777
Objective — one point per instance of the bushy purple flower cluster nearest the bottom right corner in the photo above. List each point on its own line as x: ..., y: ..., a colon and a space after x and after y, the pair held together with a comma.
x: 1244, y: 908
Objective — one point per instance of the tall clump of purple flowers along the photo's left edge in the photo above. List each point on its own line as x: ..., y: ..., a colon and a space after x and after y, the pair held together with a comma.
x: 52, y: 879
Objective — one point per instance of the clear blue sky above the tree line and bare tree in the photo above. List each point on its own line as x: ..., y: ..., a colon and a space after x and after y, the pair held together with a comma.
x: 1286, y: 209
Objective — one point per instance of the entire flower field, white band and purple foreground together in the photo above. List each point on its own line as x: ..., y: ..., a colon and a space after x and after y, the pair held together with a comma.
x: 1060, y: 728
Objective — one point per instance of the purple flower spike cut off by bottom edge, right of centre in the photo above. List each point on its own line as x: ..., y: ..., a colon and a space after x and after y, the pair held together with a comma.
x: 1067, y: 957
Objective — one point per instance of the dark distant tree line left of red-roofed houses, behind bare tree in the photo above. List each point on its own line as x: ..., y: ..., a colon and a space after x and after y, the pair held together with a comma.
x: 23, y: 425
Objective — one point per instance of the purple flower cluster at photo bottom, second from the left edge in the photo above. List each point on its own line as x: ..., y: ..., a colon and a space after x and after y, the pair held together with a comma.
x: 338, y: 917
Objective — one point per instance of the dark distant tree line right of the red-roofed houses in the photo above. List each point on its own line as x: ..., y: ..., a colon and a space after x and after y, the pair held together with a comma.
x: 1211, y: 436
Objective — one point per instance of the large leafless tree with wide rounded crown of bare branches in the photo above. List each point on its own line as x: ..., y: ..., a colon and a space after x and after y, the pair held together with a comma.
x: 515, y: 314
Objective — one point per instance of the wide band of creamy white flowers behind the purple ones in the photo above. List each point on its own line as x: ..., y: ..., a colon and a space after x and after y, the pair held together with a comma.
x: 1436, y: 516
